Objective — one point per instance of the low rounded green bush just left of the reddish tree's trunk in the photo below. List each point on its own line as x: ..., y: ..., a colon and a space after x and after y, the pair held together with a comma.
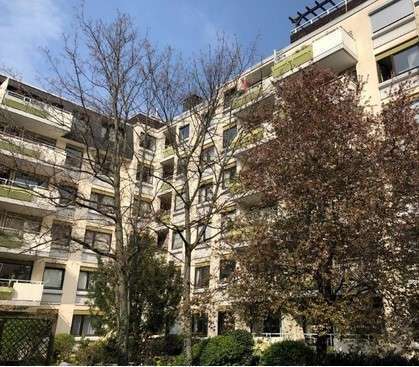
x: 288, y: 353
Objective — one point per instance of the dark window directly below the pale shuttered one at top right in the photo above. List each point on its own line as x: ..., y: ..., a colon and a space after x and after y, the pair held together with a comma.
x: 398, y: 61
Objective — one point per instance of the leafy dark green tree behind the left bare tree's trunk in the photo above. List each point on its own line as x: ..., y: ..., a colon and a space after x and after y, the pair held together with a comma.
x: 155, y: 291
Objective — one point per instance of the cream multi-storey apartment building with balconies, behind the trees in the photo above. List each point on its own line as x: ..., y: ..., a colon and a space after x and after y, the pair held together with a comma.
x: 377, y: 40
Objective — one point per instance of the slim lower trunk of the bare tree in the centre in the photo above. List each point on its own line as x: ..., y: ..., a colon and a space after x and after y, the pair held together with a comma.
x: 186, y: 308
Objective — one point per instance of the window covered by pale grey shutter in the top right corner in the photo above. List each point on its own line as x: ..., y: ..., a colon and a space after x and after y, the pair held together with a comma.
x: 390, y: 14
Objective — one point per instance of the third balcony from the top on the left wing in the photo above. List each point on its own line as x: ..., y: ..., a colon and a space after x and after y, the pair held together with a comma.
x: 32, y: 200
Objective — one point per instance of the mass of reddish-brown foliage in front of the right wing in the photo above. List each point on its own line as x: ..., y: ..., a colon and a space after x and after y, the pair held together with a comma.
x: 333, y: 241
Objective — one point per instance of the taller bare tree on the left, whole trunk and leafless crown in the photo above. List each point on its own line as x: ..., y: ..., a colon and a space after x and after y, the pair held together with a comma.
x: 100, y: 81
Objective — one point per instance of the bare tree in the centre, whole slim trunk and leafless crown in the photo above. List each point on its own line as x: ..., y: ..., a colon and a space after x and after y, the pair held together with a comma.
x: 196, y: 99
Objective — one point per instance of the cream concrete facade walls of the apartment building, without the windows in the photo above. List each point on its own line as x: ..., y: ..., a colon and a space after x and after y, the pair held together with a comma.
x: 349, y: 41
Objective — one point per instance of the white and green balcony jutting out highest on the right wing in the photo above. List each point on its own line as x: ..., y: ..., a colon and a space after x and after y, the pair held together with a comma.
x: 335, y: 50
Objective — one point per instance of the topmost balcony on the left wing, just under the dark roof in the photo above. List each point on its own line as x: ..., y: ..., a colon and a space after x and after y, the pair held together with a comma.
x: 41, y: 118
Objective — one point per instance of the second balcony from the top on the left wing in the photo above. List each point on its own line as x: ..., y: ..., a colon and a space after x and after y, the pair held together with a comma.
x: 32, y: 153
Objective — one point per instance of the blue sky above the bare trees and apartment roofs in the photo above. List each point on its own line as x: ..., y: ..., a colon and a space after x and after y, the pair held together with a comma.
x: 186, y: 25
